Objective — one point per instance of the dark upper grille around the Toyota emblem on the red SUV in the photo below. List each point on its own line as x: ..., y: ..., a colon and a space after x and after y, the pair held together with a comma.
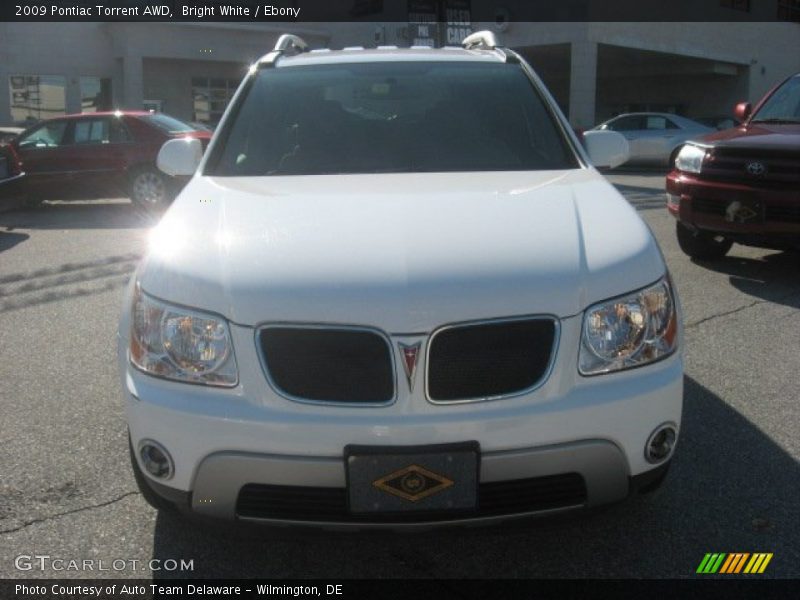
x: 730, y: 164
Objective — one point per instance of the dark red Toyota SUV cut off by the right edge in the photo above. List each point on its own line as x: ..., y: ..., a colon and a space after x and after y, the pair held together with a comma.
x: 742, y: 185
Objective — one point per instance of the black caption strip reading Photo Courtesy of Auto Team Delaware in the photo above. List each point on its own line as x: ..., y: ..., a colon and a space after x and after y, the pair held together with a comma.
x: 728, y: 587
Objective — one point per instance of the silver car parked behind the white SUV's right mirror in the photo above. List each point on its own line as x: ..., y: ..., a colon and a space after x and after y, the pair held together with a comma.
x: 655, y: 138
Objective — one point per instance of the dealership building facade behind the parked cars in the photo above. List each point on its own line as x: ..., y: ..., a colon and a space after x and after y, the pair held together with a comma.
x: 191, y: 69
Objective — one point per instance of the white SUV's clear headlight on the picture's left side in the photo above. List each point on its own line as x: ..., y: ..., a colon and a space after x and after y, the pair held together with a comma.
x: 177, y: 343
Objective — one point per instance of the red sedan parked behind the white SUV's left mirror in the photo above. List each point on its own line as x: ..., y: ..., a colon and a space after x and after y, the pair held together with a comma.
x: 96, y: 155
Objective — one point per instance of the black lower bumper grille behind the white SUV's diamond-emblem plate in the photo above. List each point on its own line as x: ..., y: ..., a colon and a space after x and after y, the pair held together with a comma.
x: 330, y: 504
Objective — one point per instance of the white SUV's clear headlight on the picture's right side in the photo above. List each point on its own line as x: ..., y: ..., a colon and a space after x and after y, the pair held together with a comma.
x: 629, y: 331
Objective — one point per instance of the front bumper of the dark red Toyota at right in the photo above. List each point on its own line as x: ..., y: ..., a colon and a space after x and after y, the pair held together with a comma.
x: 759, y: 211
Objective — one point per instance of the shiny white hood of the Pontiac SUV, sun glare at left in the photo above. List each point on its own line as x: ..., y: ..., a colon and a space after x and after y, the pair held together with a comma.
x: 404, y: 252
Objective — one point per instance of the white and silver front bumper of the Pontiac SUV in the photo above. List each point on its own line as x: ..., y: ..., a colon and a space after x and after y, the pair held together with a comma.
x: 224, y: 439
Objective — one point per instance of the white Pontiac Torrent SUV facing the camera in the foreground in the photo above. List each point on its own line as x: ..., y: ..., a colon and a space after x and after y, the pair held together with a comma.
x: 396, y: 293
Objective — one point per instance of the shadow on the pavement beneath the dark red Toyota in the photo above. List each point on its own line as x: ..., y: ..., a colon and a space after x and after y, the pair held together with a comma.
x: 773, y: 277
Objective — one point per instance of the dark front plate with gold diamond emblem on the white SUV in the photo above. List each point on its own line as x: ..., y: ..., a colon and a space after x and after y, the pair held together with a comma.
x: 402, y: 479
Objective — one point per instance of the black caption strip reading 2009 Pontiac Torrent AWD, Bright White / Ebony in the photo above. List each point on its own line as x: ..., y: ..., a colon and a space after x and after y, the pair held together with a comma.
x: 496, y: 11
